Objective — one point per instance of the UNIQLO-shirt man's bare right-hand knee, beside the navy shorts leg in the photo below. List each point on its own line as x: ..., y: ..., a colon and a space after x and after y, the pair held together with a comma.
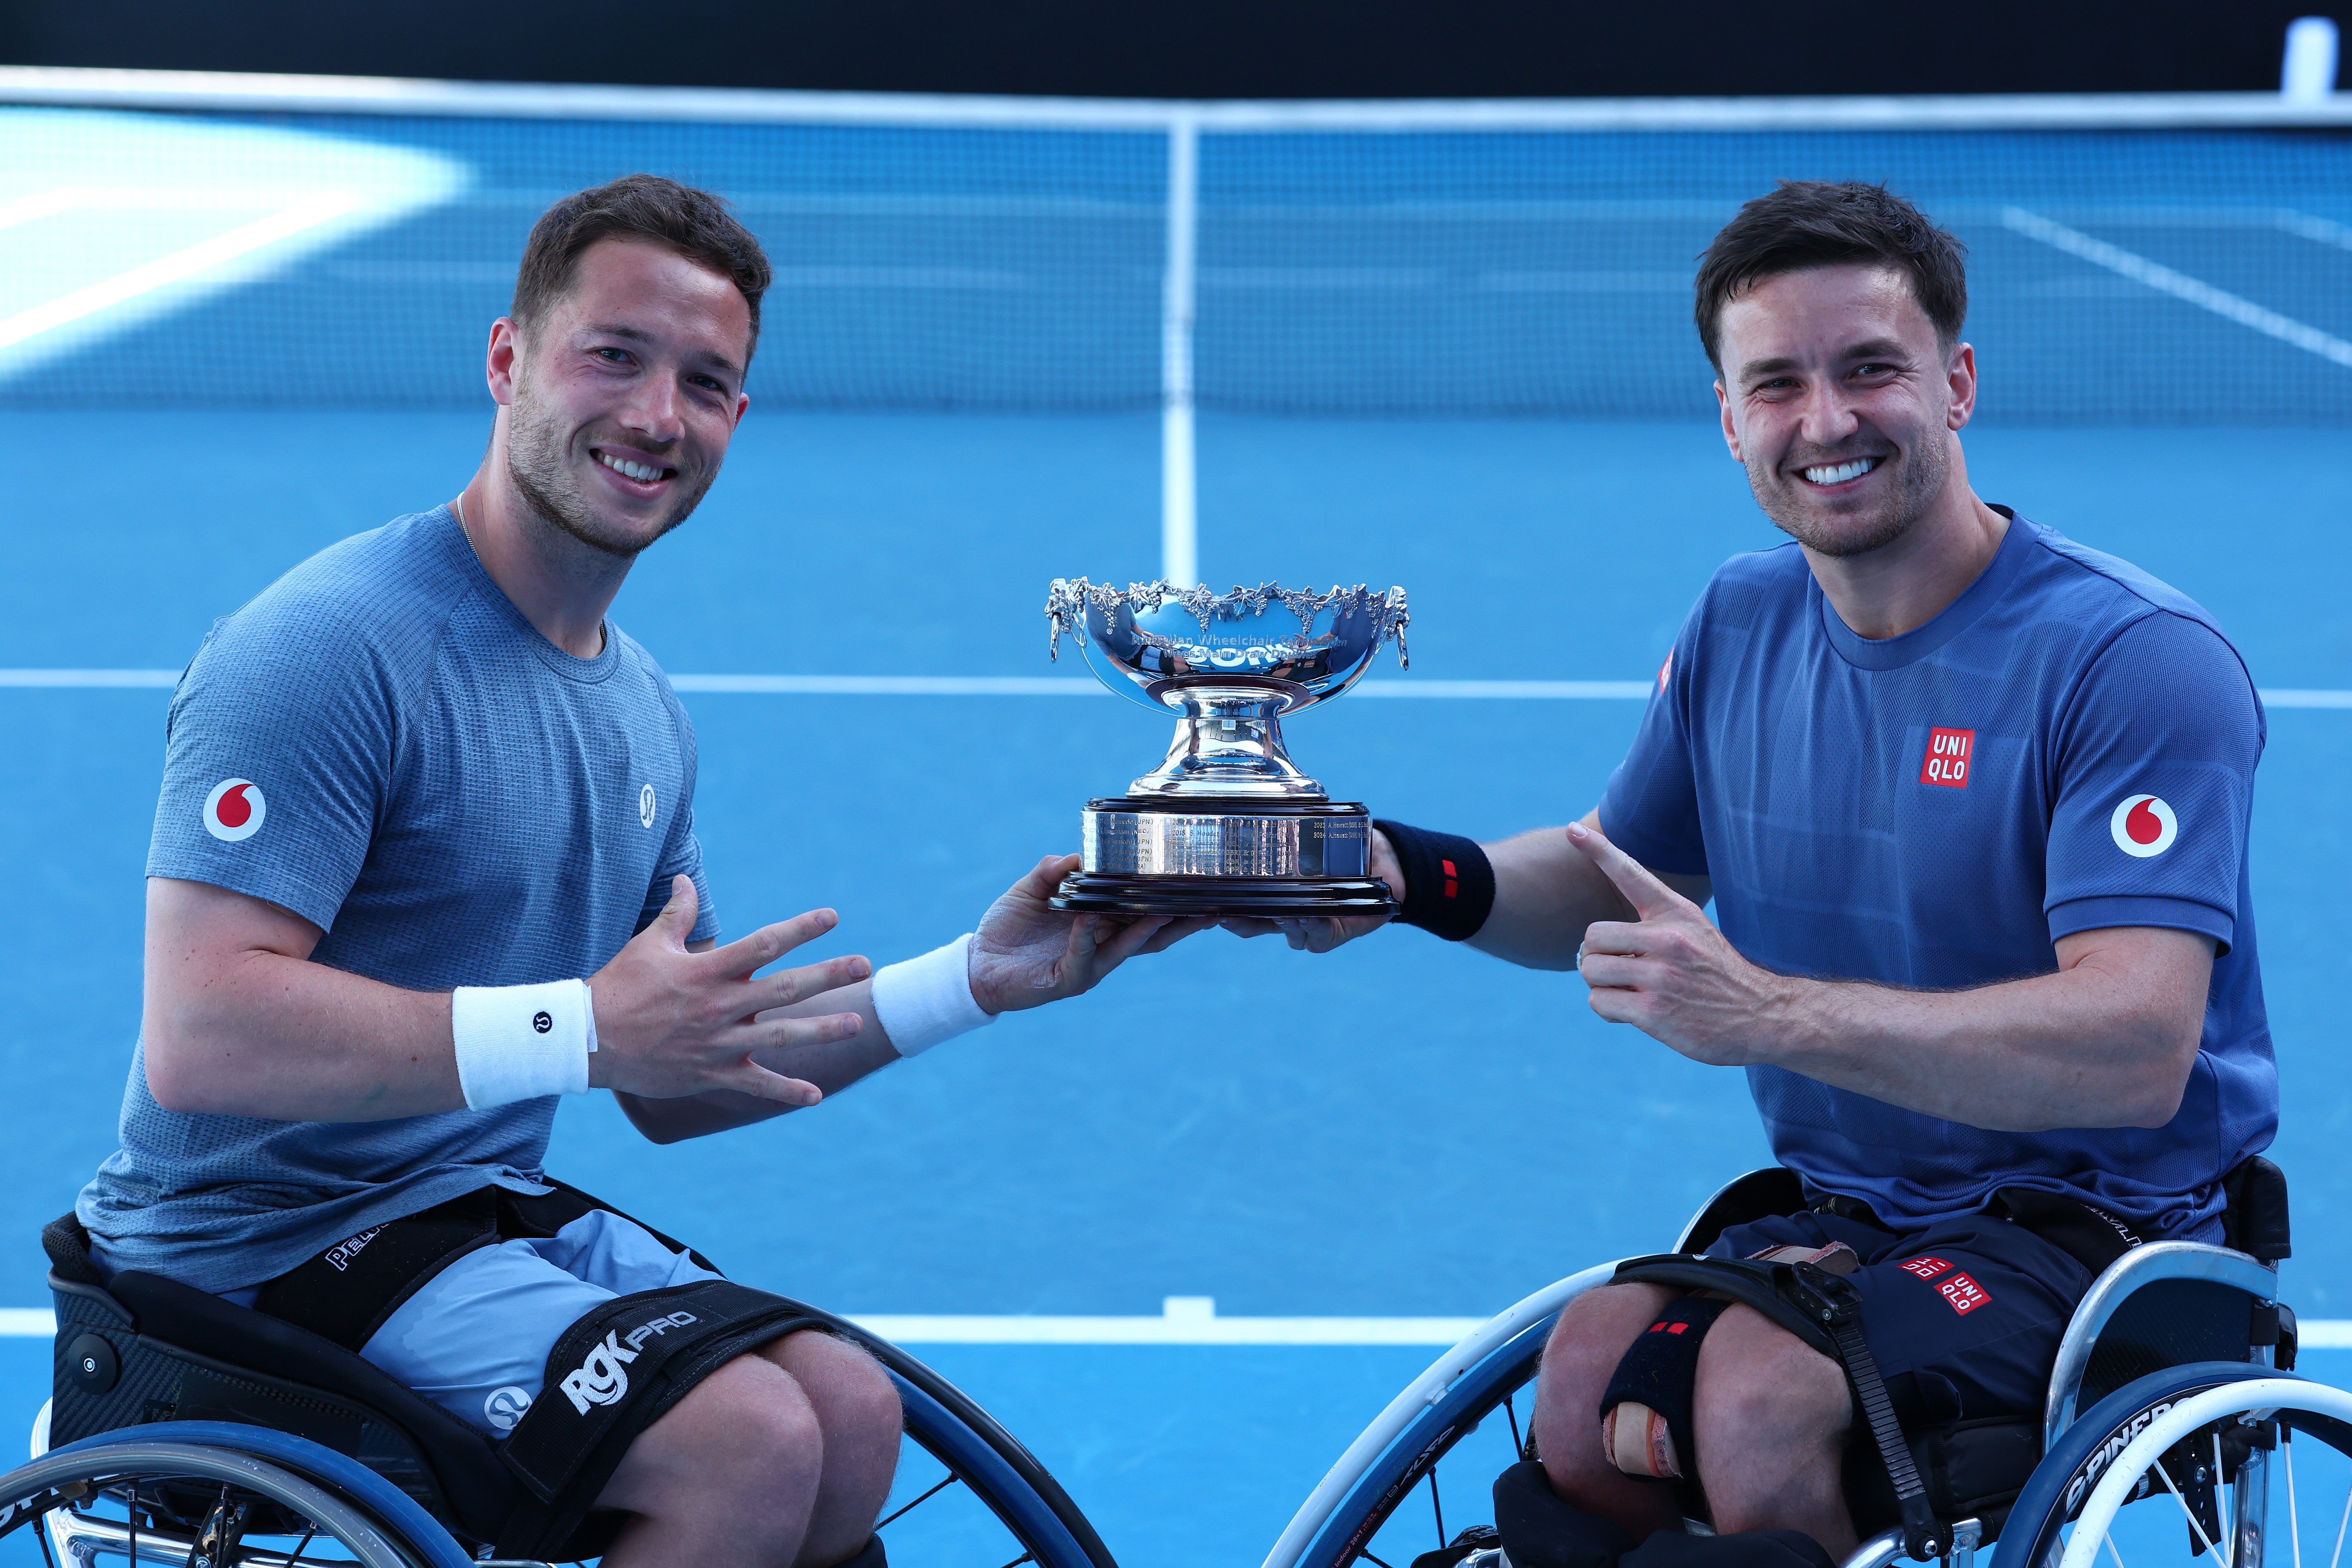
x: 1770, y: 1423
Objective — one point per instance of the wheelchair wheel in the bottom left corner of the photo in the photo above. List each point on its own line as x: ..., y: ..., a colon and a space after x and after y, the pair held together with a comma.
x: 215, y: 1496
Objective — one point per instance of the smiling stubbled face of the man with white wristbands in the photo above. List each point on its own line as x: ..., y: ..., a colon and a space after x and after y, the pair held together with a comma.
x: 622, y: 401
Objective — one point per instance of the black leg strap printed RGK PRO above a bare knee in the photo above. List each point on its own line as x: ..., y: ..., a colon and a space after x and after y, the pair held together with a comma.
x: 613, y: 1376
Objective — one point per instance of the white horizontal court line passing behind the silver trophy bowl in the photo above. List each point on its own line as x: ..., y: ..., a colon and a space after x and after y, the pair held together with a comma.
x: 1064, y: 685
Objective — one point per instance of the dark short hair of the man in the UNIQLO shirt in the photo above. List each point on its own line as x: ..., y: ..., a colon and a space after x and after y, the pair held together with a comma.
x: 1815, y: 222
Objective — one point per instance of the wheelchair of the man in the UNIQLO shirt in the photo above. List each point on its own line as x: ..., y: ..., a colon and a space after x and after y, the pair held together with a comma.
x: 2172, y: 1381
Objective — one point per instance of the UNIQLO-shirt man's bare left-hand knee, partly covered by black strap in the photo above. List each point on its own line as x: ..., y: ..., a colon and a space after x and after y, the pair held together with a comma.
x: 1579, y: 1360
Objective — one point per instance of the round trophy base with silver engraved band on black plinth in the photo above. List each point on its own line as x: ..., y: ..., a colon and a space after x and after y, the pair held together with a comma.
x: 1227, y: 857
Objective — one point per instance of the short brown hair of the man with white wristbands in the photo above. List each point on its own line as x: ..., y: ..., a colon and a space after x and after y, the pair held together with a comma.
x: 639, y: 208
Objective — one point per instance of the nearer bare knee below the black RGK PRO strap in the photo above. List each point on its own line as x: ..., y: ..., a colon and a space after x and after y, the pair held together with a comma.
x: 726, y: 1477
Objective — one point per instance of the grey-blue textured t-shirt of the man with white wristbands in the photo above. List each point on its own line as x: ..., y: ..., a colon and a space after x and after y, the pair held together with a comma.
x: 382, y: 744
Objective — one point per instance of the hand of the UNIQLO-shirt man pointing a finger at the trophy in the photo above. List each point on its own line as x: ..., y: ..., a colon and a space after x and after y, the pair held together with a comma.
x: 1671, y: 972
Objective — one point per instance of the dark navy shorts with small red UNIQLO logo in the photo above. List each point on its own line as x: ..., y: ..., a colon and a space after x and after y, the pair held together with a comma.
x: 1963, y: 1315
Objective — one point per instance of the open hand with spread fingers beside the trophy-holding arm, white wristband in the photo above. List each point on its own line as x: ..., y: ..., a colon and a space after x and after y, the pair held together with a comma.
x: 679, y: 1024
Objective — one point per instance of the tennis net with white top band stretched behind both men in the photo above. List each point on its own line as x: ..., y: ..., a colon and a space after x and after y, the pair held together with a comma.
x: 298, y: 241
